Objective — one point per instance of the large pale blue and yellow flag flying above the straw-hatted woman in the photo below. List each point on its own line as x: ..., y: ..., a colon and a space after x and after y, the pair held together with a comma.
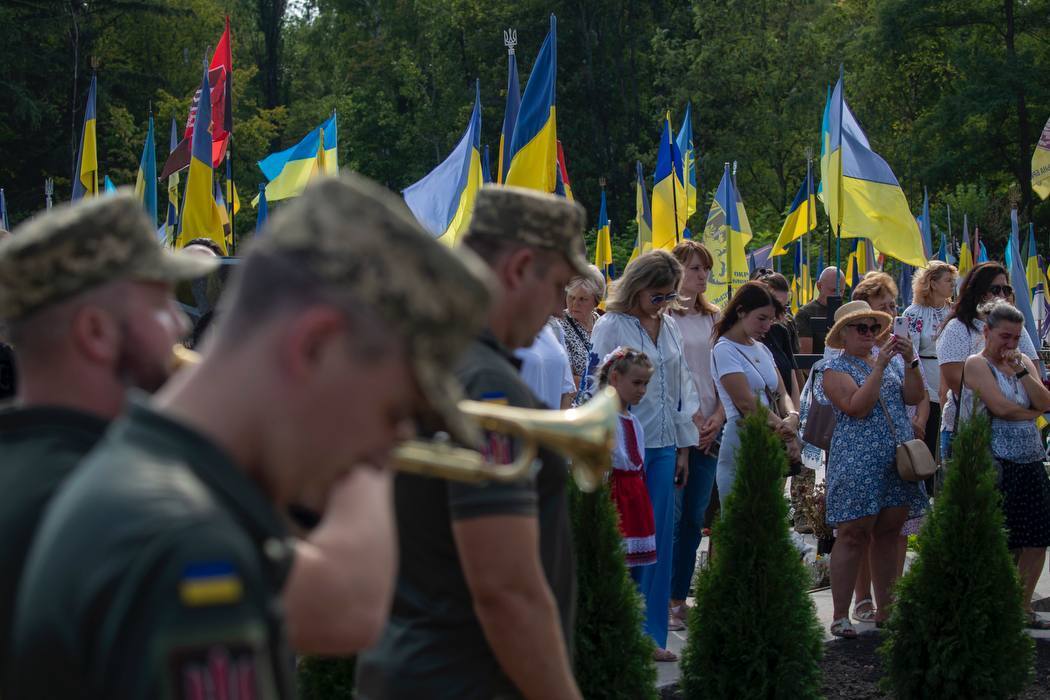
x: 863, y: 197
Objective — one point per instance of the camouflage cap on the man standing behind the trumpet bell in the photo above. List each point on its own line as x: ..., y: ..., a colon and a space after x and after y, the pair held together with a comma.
x: 538, y: 220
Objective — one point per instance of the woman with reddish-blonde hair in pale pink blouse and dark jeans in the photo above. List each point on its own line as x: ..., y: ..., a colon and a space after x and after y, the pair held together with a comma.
x: 697, y: 321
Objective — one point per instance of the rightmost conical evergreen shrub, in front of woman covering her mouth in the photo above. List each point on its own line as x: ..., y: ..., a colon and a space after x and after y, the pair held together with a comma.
x: 957, y: 630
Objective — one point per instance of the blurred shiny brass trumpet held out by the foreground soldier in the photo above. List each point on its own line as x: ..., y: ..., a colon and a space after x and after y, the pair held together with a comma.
x: 585, y: 435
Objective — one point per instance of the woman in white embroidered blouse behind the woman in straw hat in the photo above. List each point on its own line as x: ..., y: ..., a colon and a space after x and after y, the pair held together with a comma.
x: 933, y: 288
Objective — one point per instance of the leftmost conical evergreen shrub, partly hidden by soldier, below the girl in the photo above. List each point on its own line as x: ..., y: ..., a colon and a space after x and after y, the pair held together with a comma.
x: 614, y: 656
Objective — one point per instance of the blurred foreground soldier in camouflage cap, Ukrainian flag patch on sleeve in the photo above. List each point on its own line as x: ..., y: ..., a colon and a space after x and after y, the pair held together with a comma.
x: 344, y: 321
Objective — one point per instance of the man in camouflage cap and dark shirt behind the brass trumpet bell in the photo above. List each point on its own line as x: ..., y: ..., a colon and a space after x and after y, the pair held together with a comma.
x: 487, y: 589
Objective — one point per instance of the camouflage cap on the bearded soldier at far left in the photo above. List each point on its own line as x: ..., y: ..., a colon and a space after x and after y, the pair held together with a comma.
x: 77, y: 247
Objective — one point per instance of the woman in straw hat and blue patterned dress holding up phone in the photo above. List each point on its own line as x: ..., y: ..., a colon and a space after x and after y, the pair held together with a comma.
x: 867, y: 499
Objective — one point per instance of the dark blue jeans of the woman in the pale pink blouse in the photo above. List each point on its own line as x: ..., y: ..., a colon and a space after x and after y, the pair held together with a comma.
x: 690, y: 506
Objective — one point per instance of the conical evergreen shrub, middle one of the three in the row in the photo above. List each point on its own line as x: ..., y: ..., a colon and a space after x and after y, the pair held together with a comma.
x: 754, y: 631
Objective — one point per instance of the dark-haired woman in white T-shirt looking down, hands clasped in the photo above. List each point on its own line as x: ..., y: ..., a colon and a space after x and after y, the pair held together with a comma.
x: 747, y: 376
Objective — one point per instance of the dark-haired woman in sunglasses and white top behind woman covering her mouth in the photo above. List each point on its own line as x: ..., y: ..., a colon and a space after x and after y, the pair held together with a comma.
x: 962, y: 336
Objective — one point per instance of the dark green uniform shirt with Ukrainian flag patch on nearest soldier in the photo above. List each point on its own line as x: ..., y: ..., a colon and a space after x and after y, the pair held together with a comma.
x: 157, y: 575
